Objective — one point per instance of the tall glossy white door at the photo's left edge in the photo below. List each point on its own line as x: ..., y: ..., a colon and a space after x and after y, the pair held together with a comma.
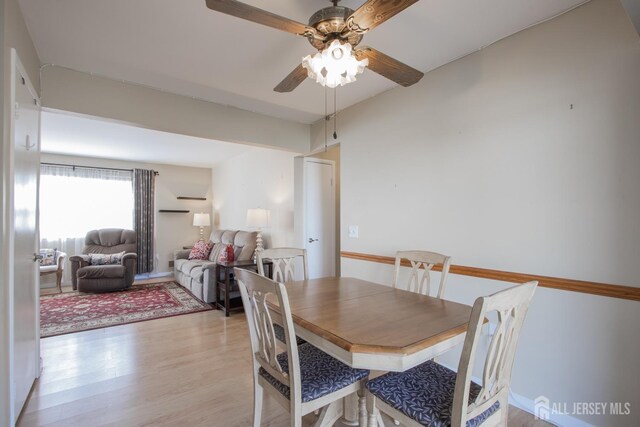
x: 26, y: 166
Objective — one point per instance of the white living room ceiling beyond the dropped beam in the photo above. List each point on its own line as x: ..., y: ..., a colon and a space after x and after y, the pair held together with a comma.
x: 90, y: 137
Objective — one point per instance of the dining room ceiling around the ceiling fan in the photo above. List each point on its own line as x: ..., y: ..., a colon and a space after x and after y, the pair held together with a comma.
x: 185, y: 48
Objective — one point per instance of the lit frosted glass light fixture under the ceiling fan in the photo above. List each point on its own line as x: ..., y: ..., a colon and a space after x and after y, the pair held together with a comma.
x: 334, y: 66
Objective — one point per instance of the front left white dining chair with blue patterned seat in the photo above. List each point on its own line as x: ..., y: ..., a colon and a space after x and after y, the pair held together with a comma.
x: 303, y: 378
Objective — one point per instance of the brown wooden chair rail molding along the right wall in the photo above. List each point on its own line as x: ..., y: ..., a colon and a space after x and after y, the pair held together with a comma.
x: 594, y: 288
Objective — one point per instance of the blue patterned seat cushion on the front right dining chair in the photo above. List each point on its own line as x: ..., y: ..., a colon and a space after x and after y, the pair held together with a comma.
x: 425, y: 394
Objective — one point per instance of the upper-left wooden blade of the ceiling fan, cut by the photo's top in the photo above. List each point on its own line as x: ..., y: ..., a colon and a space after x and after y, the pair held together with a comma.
x: 253, y: 14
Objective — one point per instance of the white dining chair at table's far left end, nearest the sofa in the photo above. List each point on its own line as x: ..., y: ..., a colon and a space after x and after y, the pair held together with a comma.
x: 283, y: 260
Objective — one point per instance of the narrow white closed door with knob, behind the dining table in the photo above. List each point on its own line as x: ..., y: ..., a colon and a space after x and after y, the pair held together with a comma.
x: 320, y: 217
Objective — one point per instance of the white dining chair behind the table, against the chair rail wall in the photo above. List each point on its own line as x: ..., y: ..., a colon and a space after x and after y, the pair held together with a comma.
x: 425, y: 261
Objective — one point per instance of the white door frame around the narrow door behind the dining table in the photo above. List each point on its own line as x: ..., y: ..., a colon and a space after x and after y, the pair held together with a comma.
x: 300, y: 200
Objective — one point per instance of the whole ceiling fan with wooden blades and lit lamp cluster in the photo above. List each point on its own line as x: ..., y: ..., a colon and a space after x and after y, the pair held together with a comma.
x: 336, y: 32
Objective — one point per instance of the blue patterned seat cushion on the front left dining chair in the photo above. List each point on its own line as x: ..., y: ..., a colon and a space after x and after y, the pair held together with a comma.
x: 320, y: 374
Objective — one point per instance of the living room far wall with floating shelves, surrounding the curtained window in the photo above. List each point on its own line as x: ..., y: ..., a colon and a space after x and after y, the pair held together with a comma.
x: 173, y: 230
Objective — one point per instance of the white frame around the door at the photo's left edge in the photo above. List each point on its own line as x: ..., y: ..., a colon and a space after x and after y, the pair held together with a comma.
x: 7, y: 392
